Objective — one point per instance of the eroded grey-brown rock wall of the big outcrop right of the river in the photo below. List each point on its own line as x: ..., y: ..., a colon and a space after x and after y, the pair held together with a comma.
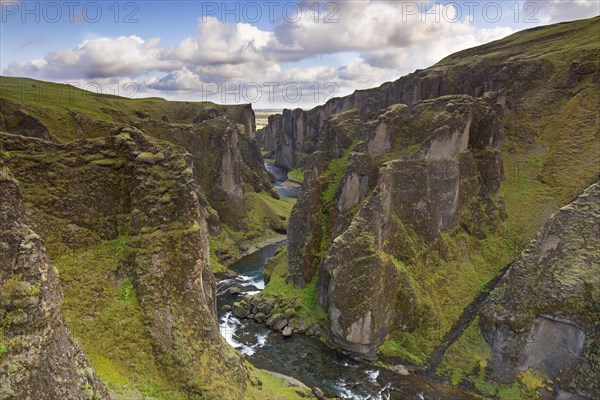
x: 418, y: 195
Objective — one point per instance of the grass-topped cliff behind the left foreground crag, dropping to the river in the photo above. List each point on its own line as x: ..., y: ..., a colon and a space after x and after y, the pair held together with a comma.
x: 227, y: 161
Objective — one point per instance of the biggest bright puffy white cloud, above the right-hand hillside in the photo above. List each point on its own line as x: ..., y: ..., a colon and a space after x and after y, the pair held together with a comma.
x: 384, y: 33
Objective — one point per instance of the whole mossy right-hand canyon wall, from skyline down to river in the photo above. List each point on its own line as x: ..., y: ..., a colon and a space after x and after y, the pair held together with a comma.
x: 419, y: 192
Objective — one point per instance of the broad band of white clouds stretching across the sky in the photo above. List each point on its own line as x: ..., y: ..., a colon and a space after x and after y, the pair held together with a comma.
x: 384, y: 45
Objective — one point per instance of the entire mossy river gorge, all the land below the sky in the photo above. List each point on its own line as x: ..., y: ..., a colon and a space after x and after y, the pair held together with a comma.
x: 436, y: 237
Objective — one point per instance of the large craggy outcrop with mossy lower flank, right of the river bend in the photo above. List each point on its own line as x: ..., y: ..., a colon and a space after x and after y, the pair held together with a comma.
x: 401, y: 208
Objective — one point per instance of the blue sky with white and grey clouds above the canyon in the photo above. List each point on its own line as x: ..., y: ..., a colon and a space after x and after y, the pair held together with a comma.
x: 273, y: 54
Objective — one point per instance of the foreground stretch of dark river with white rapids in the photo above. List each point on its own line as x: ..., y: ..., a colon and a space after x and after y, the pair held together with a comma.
x: 308, y: 359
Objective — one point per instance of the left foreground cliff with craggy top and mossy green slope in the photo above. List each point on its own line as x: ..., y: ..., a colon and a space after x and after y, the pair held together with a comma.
x: 125, y: 225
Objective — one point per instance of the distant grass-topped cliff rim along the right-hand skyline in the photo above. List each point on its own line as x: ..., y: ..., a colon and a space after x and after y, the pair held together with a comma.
x: 509, y: 67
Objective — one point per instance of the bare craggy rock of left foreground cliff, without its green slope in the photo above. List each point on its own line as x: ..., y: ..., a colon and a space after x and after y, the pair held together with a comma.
x: 176, y: 293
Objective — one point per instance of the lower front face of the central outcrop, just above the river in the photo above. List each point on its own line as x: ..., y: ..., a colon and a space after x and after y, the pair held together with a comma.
x: 355, y: 284
